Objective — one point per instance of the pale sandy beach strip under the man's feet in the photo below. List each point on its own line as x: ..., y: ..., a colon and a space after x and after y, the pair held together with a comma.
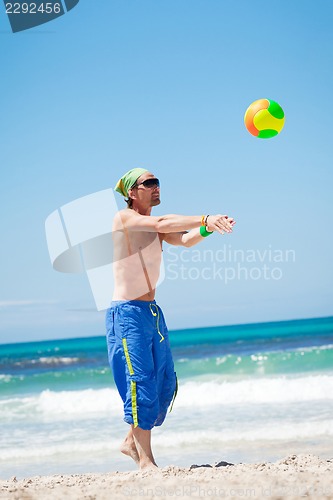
x: 294, y: 476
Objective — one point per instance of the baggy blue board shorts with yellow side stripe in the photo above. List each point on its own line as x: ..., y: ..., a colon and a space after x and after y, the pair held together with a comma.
x: 141, y: 361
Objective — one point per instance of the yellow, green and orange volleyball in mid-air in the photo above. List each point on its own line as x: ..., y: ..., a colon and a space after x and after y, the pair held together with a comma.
x: 264, y: 118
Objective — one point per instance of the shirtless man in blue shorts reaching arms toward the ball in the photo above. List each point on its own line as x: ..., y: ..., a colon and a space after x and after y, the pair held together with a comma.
x: 137, y: 336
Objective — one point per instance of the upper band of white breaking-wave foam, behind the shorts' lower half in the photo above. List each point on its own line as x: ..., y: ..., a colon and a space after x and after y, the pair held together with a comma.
x: 194, y: 394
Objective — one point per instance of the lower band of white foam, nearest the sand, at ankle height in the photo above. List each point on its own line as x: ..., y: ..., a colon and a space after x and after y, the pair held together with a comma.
x: 91, y: 443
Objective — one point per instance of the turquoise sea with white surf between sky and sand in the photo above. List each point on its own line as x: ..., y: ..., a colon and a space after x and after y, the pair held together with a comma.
x: 247, y: 393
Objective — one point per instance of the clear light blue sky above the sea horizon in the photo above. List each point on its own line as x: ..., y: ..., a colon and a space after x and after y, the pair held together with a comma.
x: 113, y: 85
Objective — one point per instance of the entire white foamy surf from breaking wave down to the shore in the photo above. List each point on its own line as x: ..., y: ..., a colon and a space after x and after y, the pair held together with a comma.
x: 210, y: 415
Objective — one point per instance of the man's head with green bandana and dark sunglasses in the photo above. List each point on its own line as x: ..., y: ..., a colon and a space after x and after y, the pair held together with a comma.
x: 140, y: 187
